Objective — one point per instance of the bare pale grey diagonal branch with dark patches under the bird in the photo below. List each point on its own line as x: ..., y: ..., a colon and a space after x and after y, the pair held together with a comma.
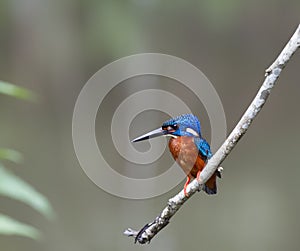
x: 272, y: 73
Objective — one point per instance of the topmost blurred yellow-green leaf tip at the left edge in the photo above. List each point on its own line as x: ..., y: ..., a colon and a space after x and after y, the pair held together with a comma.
x: 16, y: 91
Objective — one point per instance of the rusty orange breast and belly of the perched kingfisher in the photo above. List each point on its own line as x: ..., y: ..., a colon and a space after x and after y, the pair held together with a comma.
x: 185, y: 152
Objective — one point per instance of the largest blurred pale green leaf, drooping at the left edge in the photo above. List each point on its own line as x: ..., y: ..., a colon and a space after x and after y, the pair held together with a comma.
x: 15, y: 188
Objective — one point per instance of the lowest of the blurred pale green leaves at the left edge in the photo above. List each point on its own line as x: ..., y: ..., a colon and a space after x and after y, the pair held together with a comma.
x: 9, y: 226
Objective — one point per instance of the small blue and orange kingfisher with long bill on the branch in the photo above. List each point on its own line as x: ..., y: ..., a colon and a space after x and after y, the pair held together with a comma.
x: 187, y: 146
